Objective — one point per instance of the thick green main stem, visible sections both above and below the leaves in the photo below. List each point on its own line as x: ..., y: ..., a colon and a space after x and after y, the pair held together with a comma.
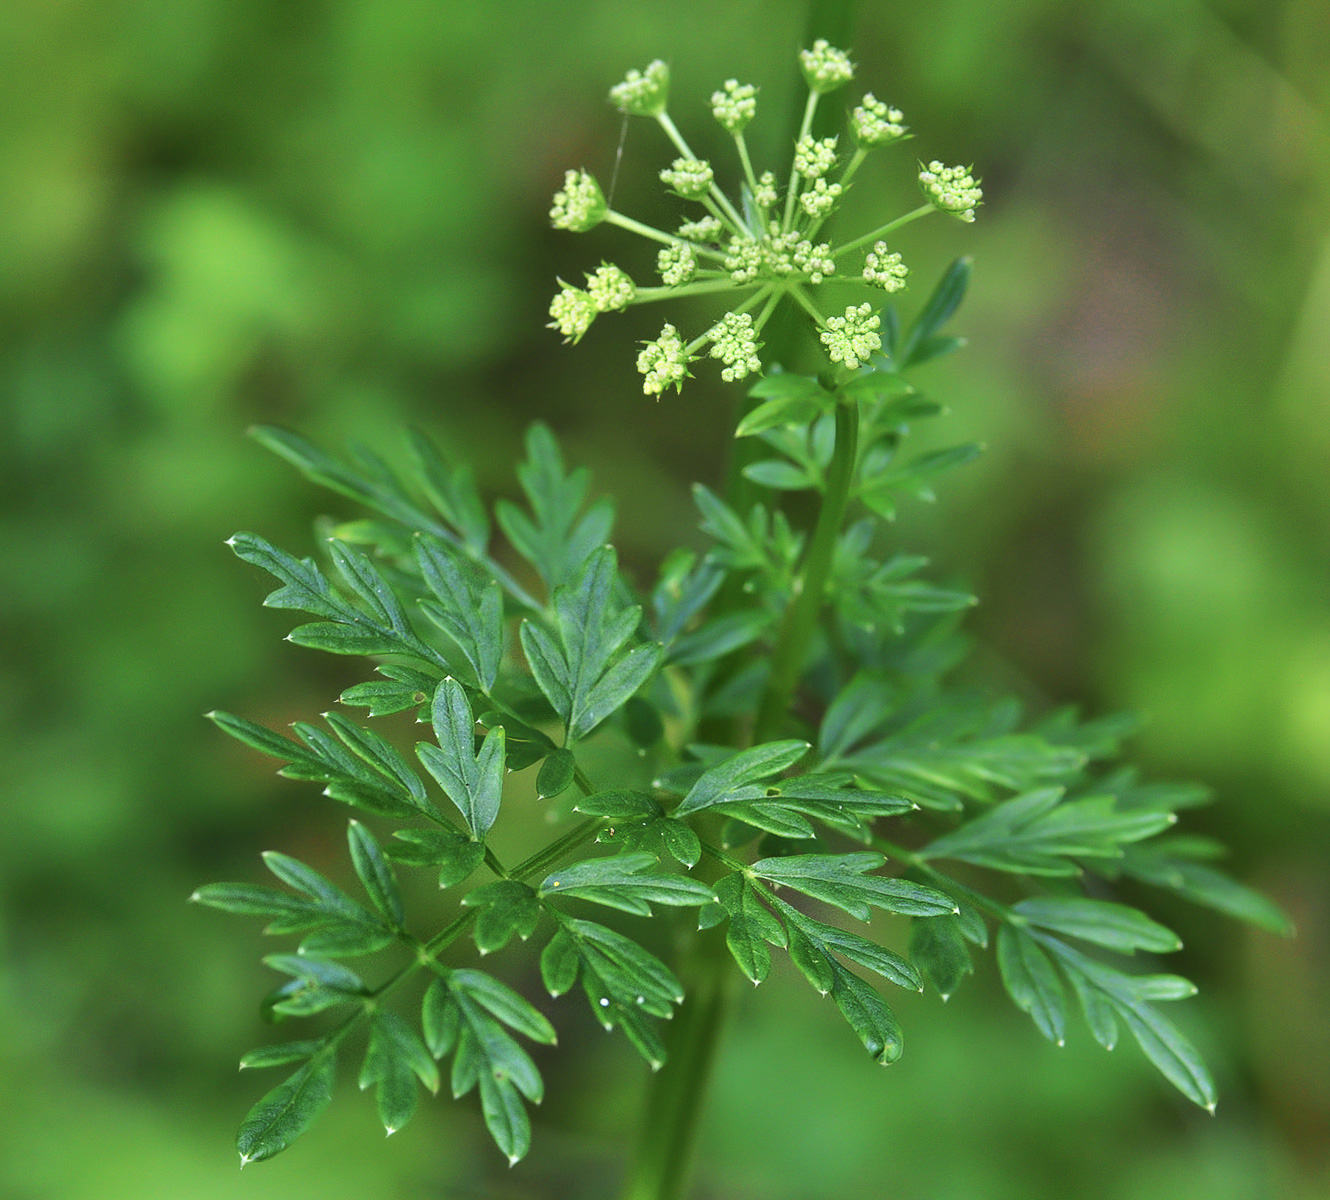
x: 676, y: 1102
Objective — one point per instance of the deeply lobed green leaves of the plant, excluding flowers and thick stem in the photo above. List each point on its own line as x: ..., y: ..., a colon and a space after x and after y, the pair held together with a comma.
x: 878, y: 738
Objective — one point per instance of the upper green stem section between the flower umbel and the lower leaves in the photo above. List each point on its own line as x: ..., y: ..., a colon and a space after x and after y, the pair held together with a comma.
x: 801, y: 619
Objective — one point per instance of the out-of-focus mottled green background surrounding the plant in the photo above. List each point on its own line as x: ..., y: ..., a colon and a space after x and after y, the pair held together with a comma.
x: 332, y: 215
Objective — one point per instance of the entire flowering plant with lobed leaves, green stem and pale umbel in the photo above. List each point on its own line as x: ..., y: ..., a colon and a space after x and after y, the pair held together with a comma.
x: 804, y: 751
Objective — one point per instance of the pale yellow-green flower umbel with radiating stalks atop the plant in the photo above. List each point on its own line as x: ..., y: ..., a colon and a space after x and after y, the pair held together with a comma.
x: 765, y: 248
